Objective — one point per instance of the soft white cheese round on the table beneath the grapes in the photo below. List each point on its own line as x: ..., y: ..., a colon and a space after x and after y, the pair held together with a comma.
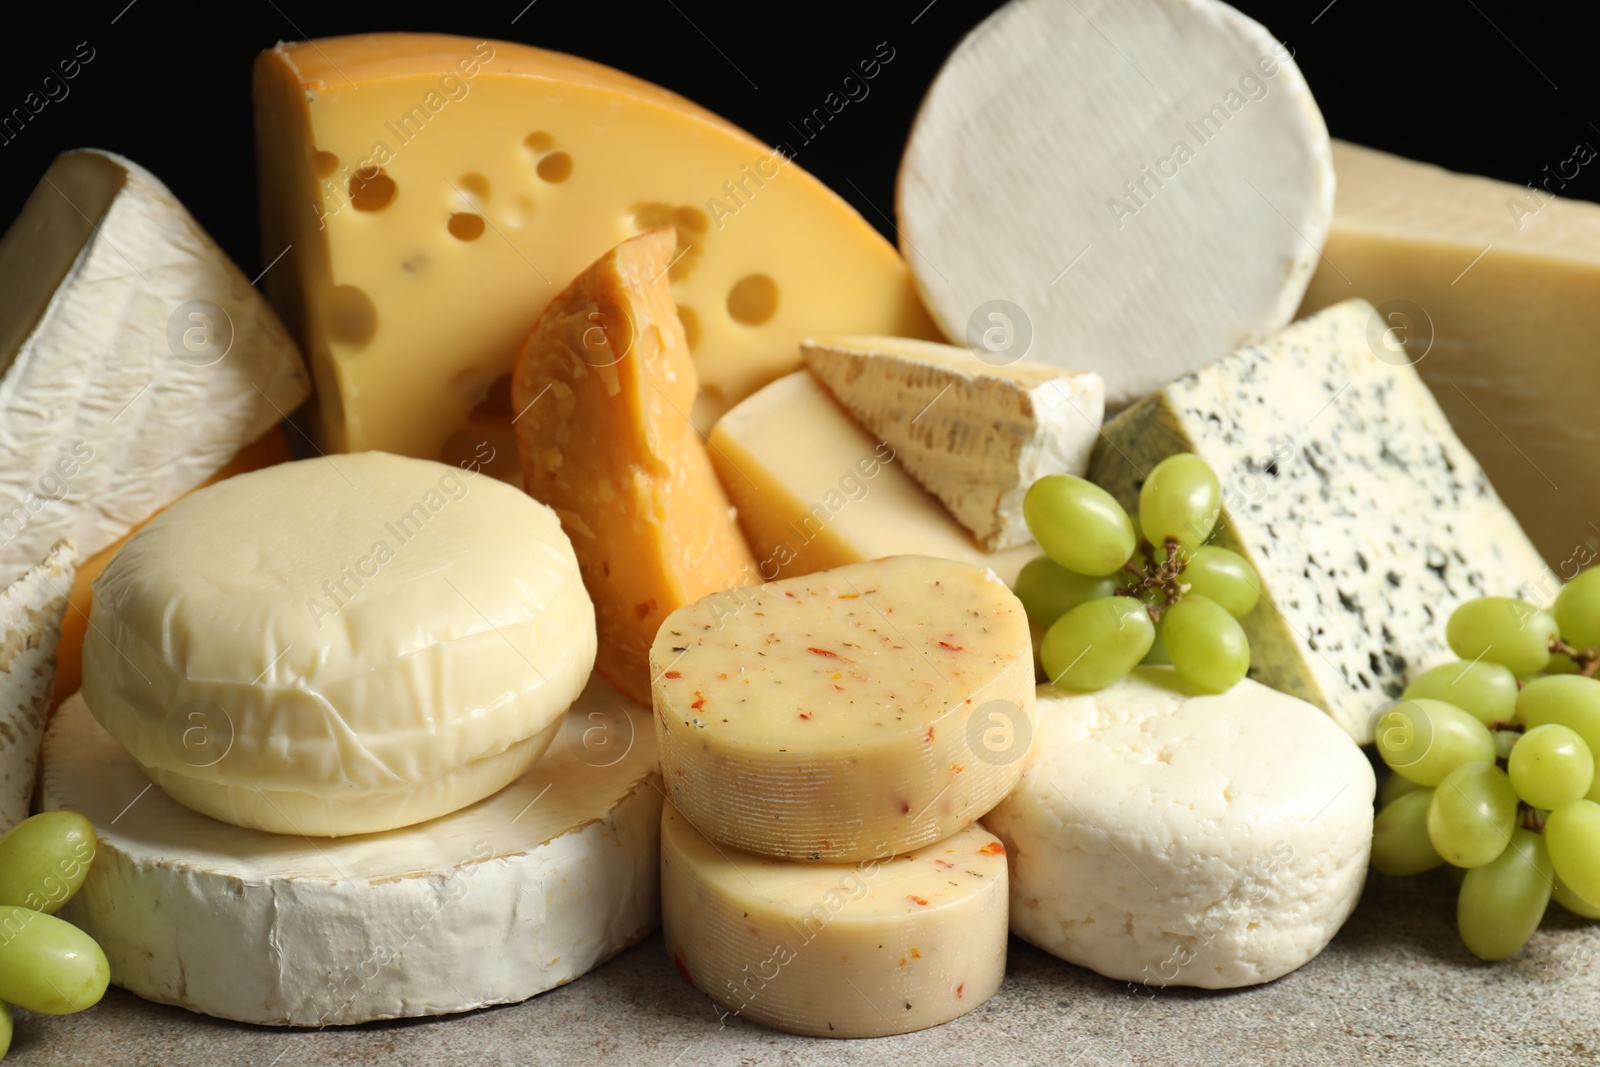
x: 1170, y: 839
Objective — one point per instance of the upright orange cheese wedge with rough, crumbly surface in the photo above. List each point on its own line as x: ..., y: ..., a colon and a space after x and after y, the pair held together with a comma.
x: 614, y: 452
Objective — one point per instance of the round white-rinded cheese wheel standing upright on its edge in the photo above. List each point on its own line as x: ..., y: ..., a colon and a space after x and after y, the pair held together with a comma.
x: 1126, y: 186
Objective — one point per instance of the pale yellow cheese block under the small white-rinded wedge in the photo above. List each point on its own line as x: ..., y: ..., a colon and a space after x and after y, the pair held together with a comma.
x: 817, y: 490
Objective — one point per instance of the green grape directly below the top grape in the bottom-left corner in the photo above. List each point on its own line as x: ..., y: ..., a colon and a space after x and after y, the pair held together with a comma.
x: 49, y: 965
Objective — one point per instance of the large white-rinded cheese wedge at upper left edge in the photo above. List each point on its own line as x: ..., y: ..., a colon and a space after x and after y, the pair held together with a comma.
x: 135, y: 359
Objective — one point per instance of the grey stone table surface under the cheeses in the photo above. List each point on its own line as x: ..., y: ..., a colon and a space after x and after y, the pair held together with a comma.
x: 1394, y: 988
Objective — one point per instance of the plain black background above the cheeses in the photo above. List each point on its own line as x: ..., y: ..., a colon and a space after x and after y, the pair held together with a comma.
x: 1494, y: 87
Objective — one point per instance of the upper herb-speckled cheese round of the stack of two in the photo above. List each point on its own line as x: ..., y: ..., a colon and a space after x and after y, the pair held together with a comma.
x: 846, y: 714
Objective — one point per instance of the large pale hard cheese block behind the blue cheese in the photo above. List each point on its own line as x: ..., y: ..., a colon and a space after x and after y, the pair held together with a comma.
x: 1492, y: 292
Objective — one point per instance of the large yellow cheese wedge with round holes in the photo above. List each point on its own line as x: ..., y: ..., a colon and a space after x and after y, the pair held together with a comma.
x: 436, y: 193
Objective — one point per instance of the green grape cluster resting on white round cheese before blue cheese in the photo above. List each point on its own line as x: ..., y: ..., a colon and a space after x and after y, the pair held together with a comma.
x: 1116, y: 593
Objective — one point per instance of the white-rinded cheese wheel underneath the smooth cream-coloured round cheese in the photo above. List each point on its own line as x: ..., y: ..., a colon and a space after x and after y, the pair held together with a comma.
x: 519, y: 893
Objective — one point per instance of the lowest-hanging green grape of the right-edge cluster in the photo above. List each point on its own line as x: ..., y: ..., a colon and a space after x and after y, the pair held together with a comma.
x: 1503, y: 901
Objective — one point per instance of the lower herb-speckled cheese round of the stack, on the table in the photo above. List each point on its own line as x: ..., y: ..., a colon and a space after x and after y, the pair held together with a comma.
x: 884, y: 946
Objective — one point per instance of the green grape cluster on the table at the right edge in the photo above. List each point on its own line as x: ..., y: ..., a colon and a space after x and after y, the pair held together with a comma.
x: 1494, y: 767
